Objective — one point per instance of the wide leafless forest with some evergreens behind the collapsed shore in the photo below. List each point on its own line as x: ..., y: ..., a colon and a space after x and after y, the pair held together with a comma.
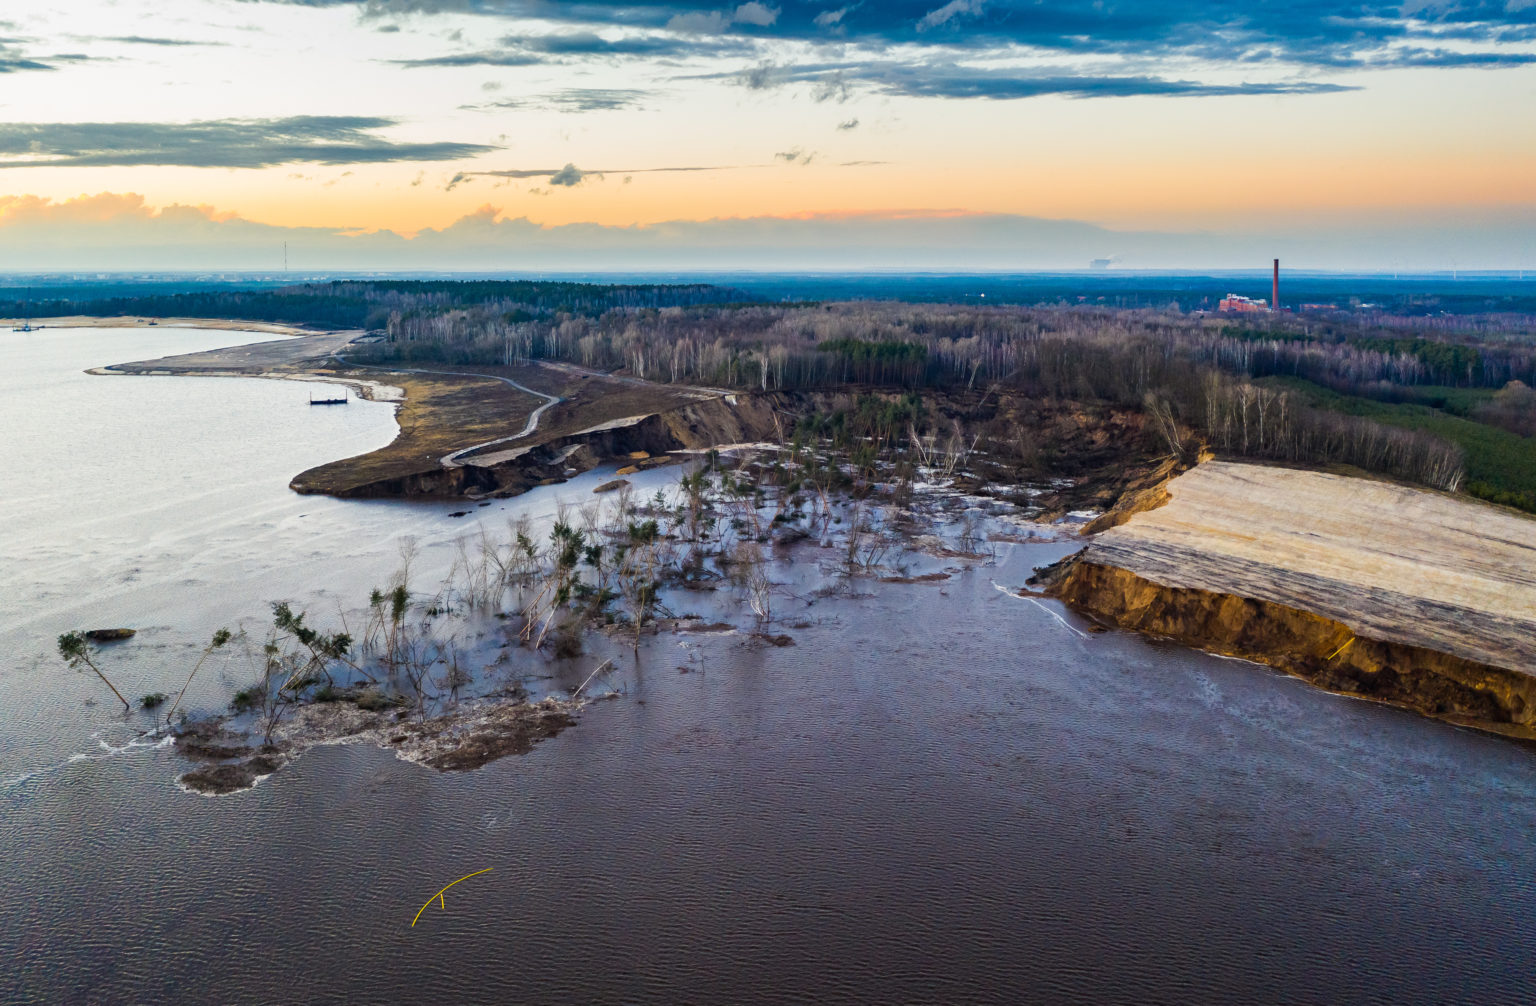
x: 1279, y: 391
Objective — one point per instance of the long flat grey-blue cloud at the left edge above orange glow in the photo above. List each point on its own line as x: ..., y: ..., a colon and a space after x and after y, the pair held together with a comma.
x: 219, y: 144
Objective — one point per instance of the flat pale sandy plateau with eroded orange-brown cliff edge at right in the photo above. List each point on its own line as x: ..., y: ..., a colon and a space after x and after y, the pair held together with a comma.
x: 1400, y: 595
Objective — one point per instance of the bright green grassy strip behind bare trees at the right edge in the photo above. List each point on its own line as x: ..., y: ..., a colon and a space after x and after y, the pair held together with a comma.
x: 1501, y: 466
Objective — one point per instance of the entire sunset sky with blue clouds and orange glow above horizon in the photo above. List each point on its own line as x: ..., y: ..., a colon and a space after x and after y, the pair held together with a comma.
x: 895, y: 134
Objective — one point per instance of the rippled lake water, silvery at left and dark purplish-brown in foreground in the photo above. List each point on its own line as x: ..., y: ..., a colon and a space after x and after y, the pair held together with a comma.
x: 941, y: 795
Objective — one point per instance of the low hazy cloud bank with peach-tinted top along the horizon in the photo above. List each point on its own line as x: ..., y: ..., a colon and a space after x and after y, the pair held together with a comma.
x: 122, y: 233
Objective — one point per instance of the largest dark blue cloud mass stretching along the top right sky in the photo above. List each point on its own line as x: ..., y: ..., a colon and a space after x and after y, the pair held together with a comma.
x: 932, y: 48
